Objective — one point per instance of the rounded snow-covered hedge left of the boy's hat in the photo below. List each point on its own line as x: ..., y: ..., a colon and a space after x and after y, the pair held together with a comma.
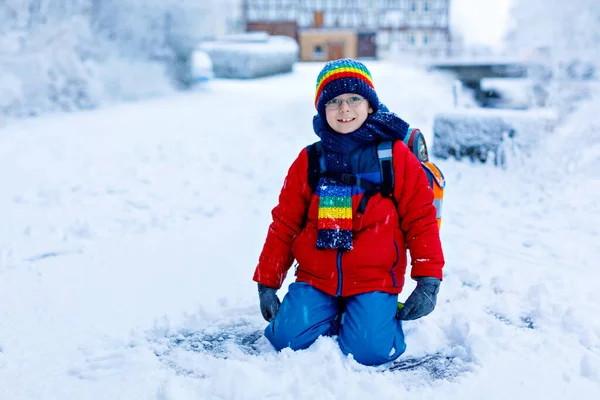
x: 252, y: 56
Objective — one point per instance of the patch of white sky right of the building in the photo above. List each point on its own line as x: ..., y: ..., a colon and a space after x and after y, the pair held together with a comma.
x: 481, y: 22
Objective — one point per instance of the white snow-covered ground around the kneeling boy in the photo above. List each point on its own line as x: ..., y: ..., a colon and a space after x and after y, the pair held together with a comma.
x: 129, y: 236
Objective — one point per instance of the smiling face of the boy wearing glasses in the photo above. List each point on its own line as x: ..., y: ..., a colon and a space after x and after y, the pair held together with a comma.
x: 347, y: 112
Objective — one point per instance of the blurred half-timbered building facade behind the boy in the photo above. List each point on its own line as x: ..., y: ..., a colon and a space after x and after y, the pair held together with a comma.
x: 419, y: 27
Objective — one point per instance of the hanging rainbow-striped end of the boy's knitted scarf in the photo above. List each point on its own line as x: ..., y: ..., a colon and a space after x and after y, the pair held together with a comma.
x: 335, y: 215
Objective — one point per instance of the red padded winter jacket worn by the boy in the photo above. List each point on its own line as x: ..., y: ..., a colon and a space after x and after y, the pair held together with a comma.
x: 380, y: 235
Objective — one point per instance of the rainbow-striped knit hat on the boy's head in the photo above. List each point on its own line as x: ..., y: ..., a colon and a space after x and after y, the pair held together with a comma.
x: 344, y: 76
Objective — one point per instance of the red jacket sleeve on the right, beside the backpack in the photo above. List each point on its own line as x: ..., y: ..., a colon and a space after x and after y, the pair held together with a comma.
x: 417, y: 214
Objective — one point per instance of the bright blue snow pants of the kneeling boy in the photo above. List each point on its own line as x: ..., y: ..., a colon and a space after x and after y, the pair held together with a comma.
x: 366, y: 323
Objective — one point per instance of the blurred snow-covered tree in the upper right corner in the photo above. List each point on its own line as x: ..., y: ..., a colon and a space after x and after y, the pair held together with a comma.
x: 561, y: 40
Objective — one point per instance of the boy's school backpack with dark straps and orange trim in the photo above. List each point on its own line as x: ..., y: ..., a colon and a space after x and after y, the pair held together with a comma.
x: 416, y: 143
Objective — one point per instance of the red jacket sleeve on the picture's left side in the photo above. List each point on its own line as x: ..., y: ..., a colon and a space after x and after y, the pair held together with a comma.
x: 288, y: 218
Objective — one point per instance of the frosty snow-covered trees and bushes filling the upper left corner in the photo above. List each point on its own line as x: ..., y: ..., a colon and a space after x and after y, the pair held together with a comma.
x: 77, y: 54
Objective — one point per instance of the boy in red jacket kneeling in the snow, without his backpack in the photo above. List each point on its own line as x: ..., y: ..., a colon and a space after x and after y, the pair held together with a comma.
x: 351, y: 256
